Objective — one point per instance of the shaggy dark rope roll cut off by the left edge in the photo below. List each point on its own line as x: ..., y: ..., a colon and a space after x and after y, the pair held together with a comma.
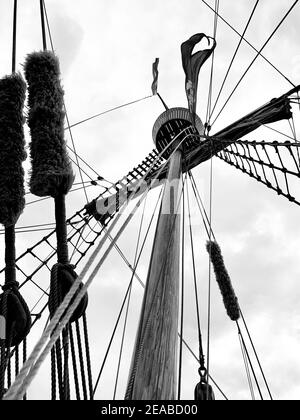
x: 12, y: 148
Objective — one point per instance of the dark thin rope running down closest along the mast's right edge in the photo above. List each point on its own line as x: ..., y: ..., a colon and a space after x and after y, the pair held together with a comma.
x: 182, y: 292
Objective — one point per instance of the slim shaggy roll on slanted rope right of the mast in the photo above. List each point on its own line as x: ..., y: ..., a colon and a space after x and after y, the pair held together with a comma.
x: 223, y: 280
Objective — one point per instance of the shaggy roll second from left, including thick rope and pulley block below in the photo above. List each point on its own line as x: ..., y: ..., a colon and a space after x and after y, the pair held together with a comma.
x: 52, y: 172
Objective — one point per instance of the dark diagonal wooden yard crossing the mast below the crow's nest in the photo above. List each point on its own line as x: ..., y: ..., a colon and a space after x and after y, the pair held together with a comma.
x: 276, y: 110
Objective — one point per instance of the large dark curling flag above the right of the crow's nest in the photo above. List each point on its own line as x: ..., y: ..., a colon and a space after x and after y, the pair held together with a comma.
x: 192, y: 64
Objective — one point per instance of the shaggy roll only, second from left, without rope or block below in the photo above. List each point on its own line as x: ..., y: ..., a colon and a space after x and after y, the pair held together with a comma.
x: 51, y: 172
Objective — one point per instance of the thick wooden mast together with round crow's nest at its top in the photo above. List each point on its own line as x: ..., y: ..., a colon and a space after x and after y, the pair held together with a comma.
x: 153, y: 373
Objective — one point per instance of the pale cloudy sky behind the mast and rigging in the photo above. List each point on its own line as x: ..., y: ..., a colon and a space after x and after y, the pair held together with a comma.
x: 106, y: 50
